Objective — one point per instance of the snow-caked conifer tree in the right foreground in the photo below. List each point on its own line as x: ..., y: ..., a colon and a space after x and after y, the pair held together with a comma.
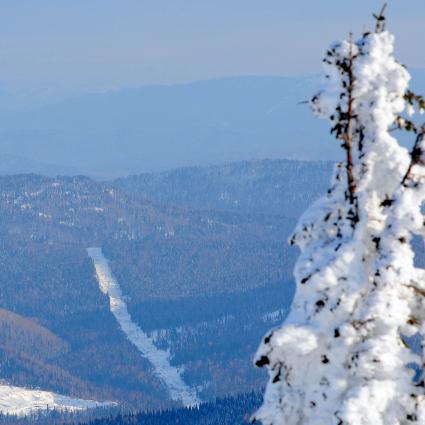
x: 342, y: 356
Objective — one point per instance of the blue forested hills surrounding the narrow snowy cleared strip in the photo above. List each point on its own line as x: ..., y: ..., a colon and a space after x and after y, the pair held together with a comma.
x: 204, y: 280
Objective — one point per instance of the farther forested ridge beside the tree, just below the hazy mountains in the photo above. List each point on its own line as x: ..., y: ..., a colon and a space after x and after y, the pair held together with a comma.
x: 276, y: 187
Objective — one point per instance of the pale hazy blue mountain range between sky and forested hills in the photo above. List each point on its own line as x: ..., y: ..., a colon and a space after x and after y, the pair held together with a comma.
x: 160, y: 127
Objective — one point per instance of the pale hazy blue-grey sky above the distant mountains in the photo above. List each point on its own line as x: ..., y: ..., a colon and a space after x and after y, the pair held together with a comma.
x: 66, y: 47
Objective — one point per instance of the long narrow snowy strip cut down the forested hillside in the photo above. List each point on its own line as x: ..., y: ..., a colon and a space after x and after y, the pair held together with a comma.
x: 171, y: 376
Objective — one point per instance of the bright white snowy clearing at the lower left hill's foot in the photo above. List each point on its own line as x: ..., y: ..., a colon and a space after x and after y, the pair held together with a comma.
x: 22, y: 401
